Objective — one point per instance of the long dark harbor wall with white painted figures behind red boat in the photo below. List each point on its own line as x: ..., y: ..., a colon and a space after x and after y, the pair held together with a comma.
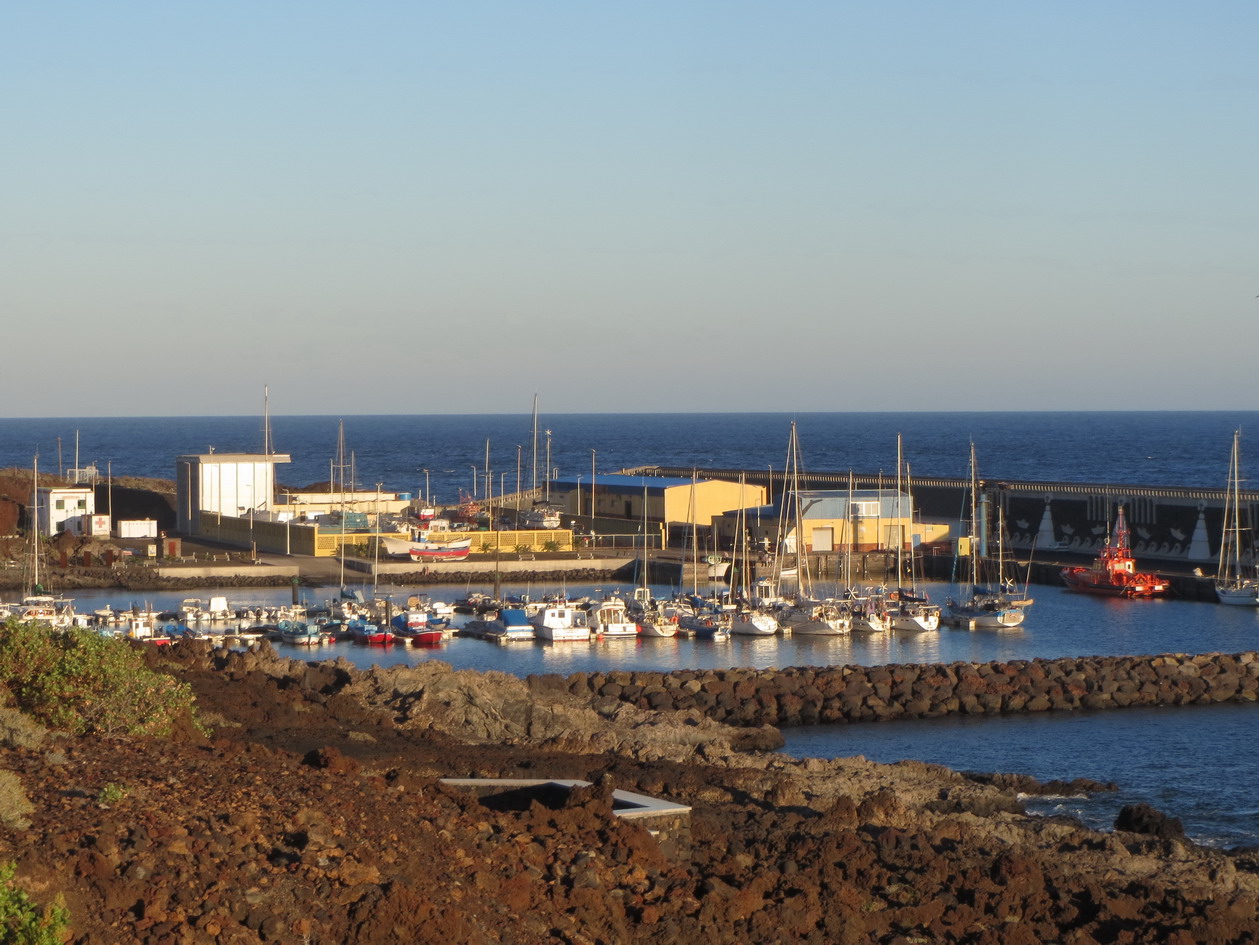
x: 1175, y: 528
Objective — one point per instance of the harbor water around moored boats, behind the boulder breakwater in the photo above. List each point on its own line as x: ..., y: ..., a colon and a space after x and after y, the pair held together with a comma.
x: 1059, y: 625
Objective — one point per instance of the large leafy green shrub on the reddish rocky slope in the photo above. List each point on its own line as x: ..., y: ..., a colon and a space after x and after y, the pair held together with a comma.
x: 86, y: 684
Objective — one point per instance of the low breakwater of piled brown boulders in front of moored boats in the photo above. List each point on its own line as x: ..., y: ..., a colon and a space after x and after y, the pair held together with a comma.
x: 864, y: 694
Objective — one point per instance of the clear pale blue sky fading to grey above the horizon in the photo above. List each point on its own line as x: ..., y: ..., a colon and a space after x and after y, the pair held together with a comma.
x: 444, y: 208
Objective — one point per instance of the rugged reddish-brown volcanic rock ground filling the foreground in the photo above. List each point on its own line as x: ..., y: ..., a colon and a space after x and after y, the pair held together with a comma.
x: 313, y: 814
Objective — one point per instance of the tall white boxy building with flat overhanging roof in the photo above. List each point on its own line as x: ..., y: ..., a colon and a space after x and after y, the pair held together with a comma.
x: 229, y: 484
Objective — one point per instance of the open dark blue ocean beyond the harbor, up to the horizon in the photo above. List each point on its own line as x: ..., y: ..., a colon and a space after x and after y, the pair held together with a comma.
x: 1130, y: 449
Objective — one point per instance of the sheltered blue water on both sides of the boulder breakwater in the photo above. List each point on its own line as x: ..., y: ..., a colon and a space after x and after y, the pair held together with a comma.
x: 1194, y: 763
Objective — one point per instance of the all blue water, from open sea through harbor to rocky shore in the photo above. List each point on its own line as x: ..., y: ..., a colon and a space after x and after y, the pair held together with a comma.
x: 1198, y: 764
